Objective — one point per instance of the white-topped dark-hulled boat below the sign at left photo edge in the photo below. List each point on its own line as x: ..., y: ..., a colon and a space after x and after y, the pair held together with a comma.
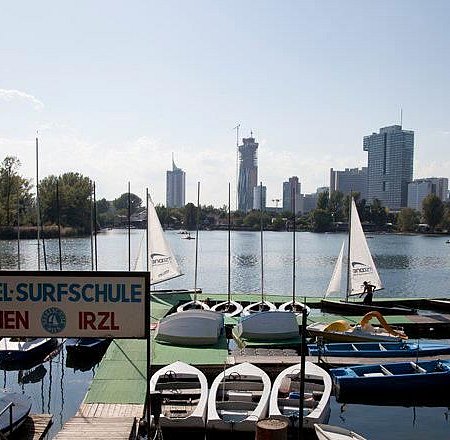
x: 17, y: 350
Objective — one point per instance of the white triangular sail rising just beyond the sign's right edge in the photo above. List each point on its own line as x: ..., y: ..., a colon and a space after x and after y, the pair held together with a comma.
x: 163, y: 265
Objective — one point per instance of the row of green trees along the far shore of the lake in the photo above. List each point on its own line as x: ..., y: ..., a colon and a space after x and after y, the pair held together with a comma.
x: 66, y: 203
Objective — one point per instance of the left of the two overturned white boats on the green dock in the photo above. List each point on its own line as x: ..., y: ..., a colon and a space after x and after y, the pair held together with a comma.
x: 190, y: 328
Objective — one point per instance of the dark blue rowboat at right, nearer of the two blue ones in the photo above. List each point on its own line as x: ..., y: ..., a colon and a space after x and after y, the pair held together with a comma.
x: 401, y: 383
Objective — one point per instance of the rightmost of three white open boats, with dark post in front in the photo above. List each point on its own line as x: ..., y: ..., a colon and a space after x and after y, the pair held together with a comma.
x: 285, y: 395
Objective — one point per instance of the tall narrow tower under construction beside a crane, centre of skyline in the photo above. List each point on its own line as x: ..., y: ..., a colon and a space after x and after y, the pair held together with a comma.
x: 248, y: 173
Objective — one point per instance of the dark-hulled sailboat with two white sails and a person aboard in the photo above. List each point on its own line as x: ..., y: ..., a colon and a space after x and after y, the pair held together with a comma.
x: 360, y: 268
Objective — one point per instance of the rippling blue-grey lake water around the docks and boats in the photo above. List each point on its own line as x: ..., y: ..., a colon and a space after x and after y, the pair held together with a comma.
x: 410, y: 266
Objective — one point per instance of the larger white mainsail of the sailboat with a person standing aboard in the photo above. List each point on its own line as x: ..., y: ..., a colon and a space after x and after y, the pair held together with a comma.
x: 361, y: 268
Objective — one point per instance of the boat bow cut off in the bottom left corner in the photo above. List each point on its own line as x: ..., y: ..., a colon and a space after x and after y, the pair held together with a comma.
x: 21, y: 406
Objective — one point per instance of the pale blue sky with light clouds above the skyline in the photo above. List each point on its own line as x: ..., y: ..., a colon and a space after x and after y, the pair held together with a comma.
x: 113, y: 88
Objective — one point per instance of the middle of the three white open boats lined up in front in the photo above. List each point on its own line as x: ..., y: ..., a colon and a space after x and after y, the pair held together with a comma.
x: 238, y: 398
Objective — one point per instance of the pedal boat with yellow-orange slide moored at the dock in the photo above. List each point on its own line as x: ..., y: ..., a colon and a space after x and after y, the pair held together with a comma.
x: 342, y: 331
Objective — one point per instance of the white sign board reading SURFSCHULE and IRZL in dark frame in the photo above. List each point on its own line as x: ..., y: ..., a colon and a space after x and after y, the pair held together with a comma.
x: 73, y: 304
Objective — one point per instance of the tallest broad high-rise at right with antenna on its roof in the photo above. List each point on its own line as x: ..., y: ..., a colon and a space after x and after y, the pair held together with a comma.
x: 389, y: 166
